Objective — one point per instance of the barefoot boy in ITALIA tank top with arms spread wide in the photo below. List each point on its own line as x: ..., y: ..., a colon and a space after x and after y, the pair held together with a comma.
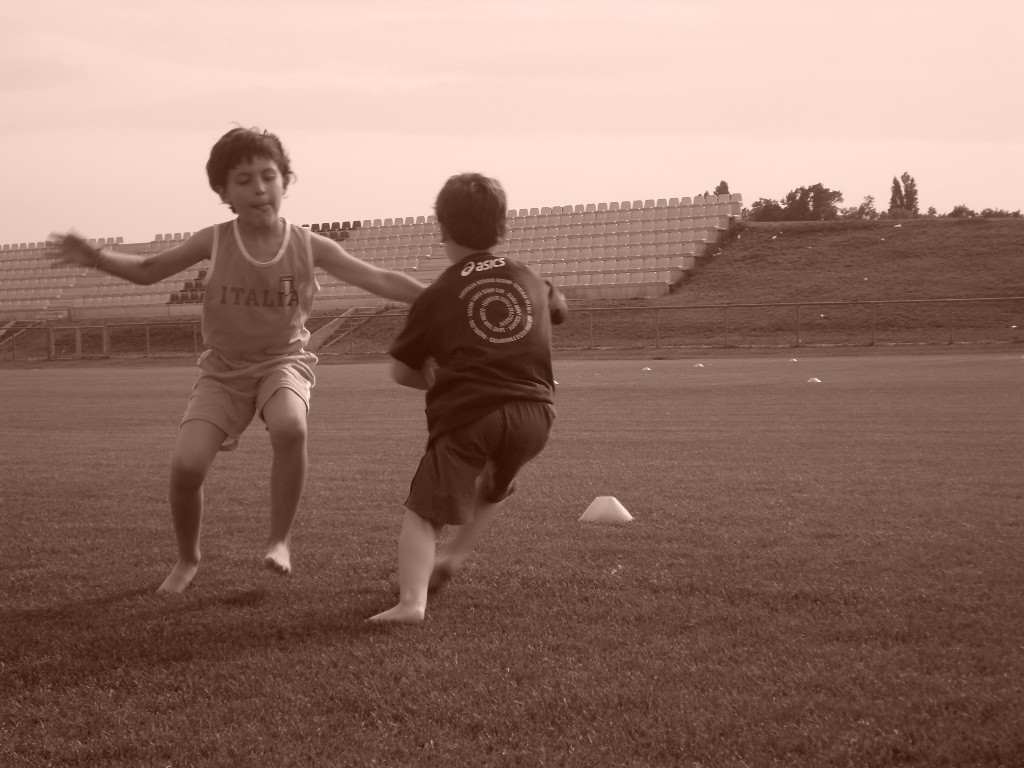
x: 260, y: 294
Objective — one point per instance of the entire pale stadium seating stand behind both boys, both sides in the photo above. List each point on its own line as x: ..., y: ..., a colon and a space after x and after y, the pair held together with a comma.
x: 630, y: 249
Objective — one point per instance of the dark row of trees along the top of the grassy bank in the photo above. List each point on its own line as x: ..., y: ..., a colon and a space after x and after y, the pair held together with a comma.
x: 819, y: 203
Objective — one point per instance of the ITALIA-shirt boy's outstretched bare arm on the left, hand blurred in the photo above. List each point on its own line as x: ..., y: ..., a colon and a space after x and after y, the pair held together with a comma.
x: 145, y: 271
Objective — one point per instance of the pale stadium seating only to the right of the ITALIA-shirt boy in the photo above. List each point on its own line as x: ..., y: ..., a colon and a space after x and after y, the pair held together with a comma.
x: 605, y: 250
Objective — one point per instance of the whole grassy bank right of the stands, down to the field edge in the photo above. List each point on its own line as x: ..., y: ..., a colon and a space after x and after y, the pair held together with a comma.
x: 813, y: 263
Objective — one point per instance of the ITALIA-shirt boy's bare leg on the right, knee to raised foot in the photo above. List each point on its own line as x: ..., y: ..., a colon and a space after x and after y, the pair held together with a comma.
x: 285, y: 415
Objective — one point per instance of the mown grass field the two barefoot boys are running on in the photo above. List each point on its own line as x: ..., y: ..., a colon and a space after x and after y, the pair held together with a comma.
x: 818, y: 575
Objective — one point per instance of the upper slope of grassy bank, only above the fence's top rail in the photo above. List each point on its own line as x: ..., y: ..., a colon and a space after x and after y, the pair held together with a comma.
x: 862, y: 262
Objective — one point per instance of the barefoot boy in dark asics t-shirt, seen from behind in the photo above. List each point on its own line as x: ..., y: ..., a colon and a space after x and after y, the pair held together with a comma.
x: 479, y: 340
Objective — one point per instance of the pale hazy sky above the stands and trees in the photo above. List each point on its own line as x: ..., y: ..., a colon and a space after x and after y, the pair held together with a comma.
x: 109, y: 108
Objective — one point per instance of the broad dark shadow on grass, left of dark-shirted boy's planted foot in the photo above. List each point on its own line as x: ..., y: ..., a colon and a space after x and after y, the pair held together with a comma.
x: 67, y: 646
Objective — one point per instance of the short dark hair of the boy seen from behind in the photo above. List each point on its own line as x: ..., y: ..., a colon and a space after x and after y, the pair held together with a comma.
x: 472, y: 208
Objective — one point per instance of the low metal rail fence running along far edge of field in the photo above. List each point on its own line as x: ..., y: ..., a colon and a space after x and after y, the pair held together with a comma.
x: 991, y: 321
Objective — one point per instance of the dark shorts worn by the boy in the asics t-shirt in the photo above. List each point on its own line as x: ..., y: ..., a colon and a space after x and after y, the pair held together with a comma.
x: 492, y: 450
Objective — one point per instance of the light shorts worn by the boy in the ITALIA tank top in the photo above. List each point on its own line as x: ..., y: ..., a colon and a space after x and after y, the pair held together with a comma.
x: 230, y: 399
